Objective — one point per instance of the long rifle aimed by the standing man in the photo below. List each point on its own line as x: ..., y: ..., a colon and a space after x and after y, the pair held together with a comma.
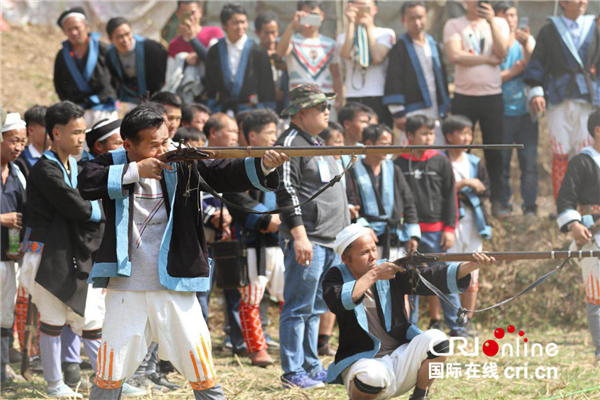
x: 191, y: 153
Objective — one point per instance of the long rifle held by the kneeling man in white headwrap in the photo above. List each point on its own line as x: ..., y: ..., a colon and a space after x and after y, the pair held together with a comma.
x: 500, y: 256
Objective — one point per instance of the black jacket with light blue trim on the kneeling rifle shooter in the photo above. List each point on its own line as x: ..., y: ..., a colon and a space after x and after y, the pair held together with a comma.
x: 356, y: 342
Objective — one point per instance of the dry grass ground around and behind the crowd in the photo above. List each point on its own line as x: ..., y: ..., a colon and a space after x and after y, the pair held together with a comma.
x: 554, y: 312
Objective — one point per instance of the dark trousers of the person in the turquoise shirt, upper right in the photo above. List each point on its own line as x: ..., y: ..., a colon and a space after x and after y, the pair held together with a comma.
x: 520, y: 130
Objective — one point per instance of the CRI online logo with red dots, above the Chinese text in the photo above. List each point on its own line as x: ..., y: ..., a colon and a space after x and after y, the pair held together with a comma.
x: 491, y: 347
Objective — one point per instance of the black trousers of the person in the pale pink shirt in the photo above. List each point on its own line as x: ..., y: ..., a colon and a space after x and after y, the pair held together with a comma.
x: 489, y: 111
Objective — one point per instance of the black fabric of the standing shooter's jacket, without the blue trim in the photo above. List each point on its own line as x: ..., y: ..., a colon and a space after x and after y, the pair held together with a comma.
x: 187, y: 251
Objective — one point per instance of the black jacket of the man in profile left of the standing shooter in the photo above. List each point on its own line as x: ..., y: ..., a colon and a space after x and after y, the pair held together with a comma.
x: 62, y: 220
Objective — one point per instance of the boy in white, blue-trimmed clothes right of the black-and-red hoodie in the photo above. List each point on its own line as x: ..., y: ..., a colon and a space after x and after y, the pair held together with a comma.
x: 472, y: 186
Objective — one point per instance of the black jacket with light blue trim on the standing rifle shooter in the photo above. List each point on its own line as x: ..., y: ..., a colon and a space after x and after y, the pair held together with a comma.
x: 183, y: 261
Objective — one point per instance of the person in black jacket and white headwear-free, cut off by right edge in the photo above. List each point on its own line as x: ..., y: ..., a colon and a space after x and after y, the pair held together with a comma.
x: 578, y: 210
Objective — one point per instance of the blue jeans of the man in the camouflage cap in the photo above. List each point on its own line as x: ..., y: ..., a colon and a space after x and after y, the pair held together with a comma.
x: 303, y: 303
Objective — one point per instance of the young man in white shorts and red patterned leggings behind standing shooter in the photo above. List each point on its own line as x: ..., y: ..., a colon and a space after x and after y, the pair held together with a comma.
x: 265, y: 257
